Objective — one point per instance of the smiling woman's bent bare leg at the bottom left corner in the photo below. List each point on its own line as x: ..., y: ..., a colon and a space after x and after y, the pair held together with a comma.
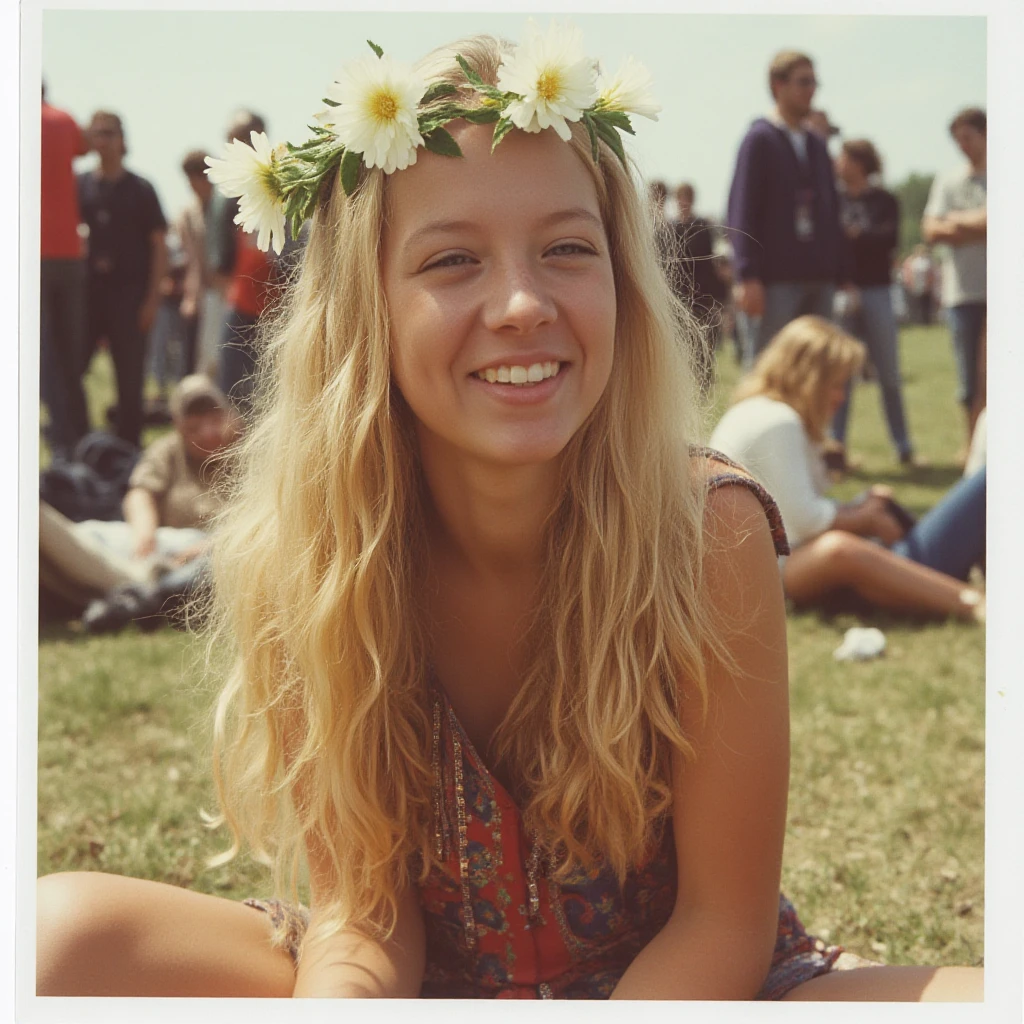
x: 108, y: 935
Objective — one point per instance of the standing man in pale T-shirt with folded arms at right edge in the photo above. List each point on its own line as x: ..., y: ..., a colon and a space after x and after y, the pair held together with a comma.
x: 957, y: 217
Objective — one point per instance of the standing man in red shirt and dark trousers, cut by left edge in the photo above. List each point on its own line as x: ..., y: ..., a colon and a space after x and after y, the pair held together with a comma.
x: 62, y: 283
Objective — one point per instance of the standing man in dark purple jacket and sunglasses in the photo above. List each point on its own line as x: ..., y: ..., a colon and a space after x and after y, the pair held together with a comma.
x: 784, y: 212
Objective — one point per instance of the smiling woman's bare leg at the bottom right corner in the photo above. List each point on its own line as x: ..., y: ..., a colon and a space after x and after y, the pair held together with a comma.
x: 897, y: 985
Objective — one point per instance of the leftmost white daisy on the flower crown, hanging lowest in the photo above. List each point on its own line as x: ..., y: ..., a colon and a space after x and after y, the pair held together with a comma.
x: 247, y: 173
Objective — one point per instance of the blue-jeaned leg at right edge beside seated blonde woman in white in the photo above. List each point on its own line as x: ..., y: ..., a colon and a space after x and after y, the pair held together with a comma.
x: 952, y: 537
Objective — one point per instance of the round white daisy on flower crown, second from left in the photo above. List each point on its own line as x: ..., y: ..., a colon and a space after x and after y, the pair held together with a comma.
x: 378, y: 99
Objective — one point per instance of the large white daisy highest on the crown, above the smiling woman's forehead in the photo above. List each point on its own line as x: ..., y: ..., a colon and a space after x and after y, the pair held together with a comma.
x: 553, y: 76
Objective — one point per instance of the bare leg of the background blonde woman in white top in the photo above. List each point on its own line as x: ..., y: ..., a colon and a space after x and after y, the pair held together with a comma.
x: 839, y: 560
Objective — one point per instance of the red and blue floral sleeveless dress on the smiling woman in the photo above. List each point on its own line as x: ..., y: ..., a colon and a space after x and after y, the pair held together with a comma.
x: 498, y: 927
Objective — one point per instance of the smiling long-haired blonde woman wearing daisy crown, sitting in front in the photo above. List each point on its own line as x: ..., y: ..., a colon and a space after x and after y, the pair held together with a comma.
x: 510, y: 662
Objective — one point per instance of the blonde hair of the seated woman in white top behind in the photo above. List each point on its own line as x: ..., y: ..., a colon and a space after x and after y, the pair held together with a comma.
x: 798, y: 367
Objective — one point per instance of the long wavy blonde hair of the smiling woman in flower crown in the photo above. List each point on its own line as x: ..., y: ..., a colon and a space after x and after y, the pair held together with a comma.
x: 322, y: 731
